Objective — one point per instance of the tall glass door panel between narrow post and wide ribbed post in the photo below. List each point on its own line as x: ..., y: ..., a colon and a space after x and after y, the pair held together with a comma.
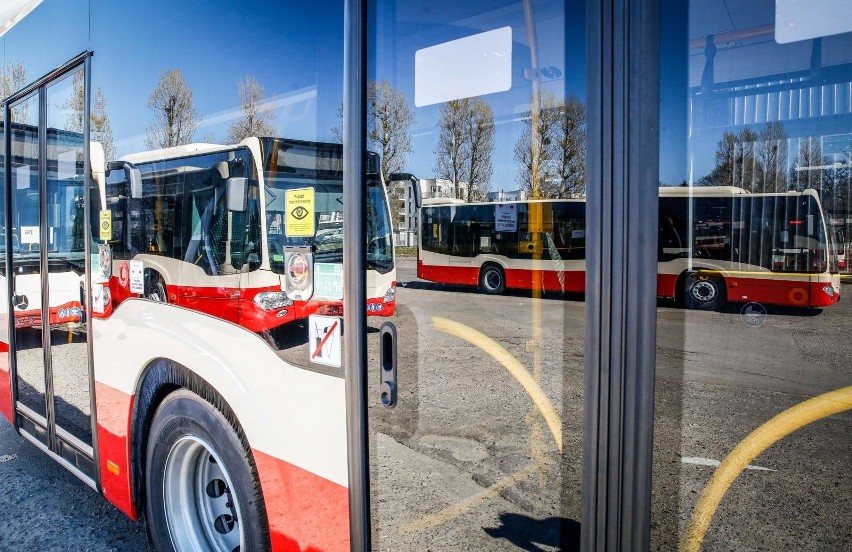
x: 481, y: 106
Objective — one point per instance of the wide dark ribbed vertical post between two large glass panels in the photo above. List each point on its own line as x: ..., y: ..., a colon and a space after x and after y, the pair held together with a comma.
x: 621, y: 273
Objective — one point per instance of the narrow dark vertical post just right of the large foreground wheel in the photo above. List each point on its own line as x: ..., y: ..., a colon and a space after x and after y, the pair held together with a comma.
x: 354, y: 285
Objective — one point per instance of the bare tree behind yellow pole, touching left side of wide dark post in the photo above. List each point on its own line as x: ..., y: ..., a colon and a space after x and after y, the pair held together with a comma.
x: 551, y: 152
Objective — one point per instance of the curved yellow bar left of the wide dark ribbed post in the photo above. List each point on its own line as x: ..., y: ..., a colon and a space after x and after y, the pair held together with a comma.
x: 511, y: 364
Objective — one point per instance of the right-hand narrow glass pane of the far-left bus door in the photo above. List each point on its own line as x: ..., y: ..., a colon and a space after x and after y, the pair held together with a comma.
x: 66, y: 255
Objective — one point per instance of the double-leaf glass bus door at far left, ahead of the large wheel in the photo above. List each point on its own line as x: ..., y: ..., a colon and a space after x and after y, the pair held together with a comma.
x: 48, y: 270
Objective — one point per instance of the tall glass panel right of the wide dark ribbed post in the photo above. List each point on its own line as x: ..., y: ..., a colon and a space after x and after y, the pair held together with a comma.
x: 753, y: 399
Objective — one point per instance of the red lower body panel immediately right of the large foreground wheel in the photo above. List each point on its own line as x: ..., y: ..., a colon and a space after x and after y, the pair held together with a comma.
x: 305, y: 511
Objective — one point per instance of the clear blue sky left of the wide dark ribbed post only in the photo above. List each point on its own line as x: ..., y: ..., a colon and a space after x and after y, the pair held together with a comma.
x: 295, y: 51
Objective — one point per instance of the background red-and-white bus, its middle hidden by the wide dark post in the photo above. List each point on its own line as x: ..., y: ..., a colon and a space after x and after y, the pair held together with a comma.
x: 716, y: 244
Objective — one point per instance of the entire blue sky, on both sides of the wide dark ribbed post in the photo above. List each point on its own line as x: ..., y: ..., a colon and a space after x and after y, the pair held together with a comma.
x: 295, y: 51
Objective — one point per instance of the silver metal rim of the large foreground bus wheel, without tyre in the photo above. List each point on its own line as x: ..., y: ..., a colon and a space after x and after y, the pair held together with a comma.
x: 201, y: 511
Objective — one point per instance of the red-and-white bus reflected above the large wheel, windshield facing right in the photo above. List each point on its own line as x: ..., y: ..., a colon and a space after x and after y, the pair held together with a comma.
x: 208, y: 223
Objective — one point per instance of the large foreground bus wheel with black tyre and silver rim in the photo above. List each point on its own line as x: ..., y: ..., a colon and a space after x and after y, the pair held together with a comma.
x: 201, y: 493
